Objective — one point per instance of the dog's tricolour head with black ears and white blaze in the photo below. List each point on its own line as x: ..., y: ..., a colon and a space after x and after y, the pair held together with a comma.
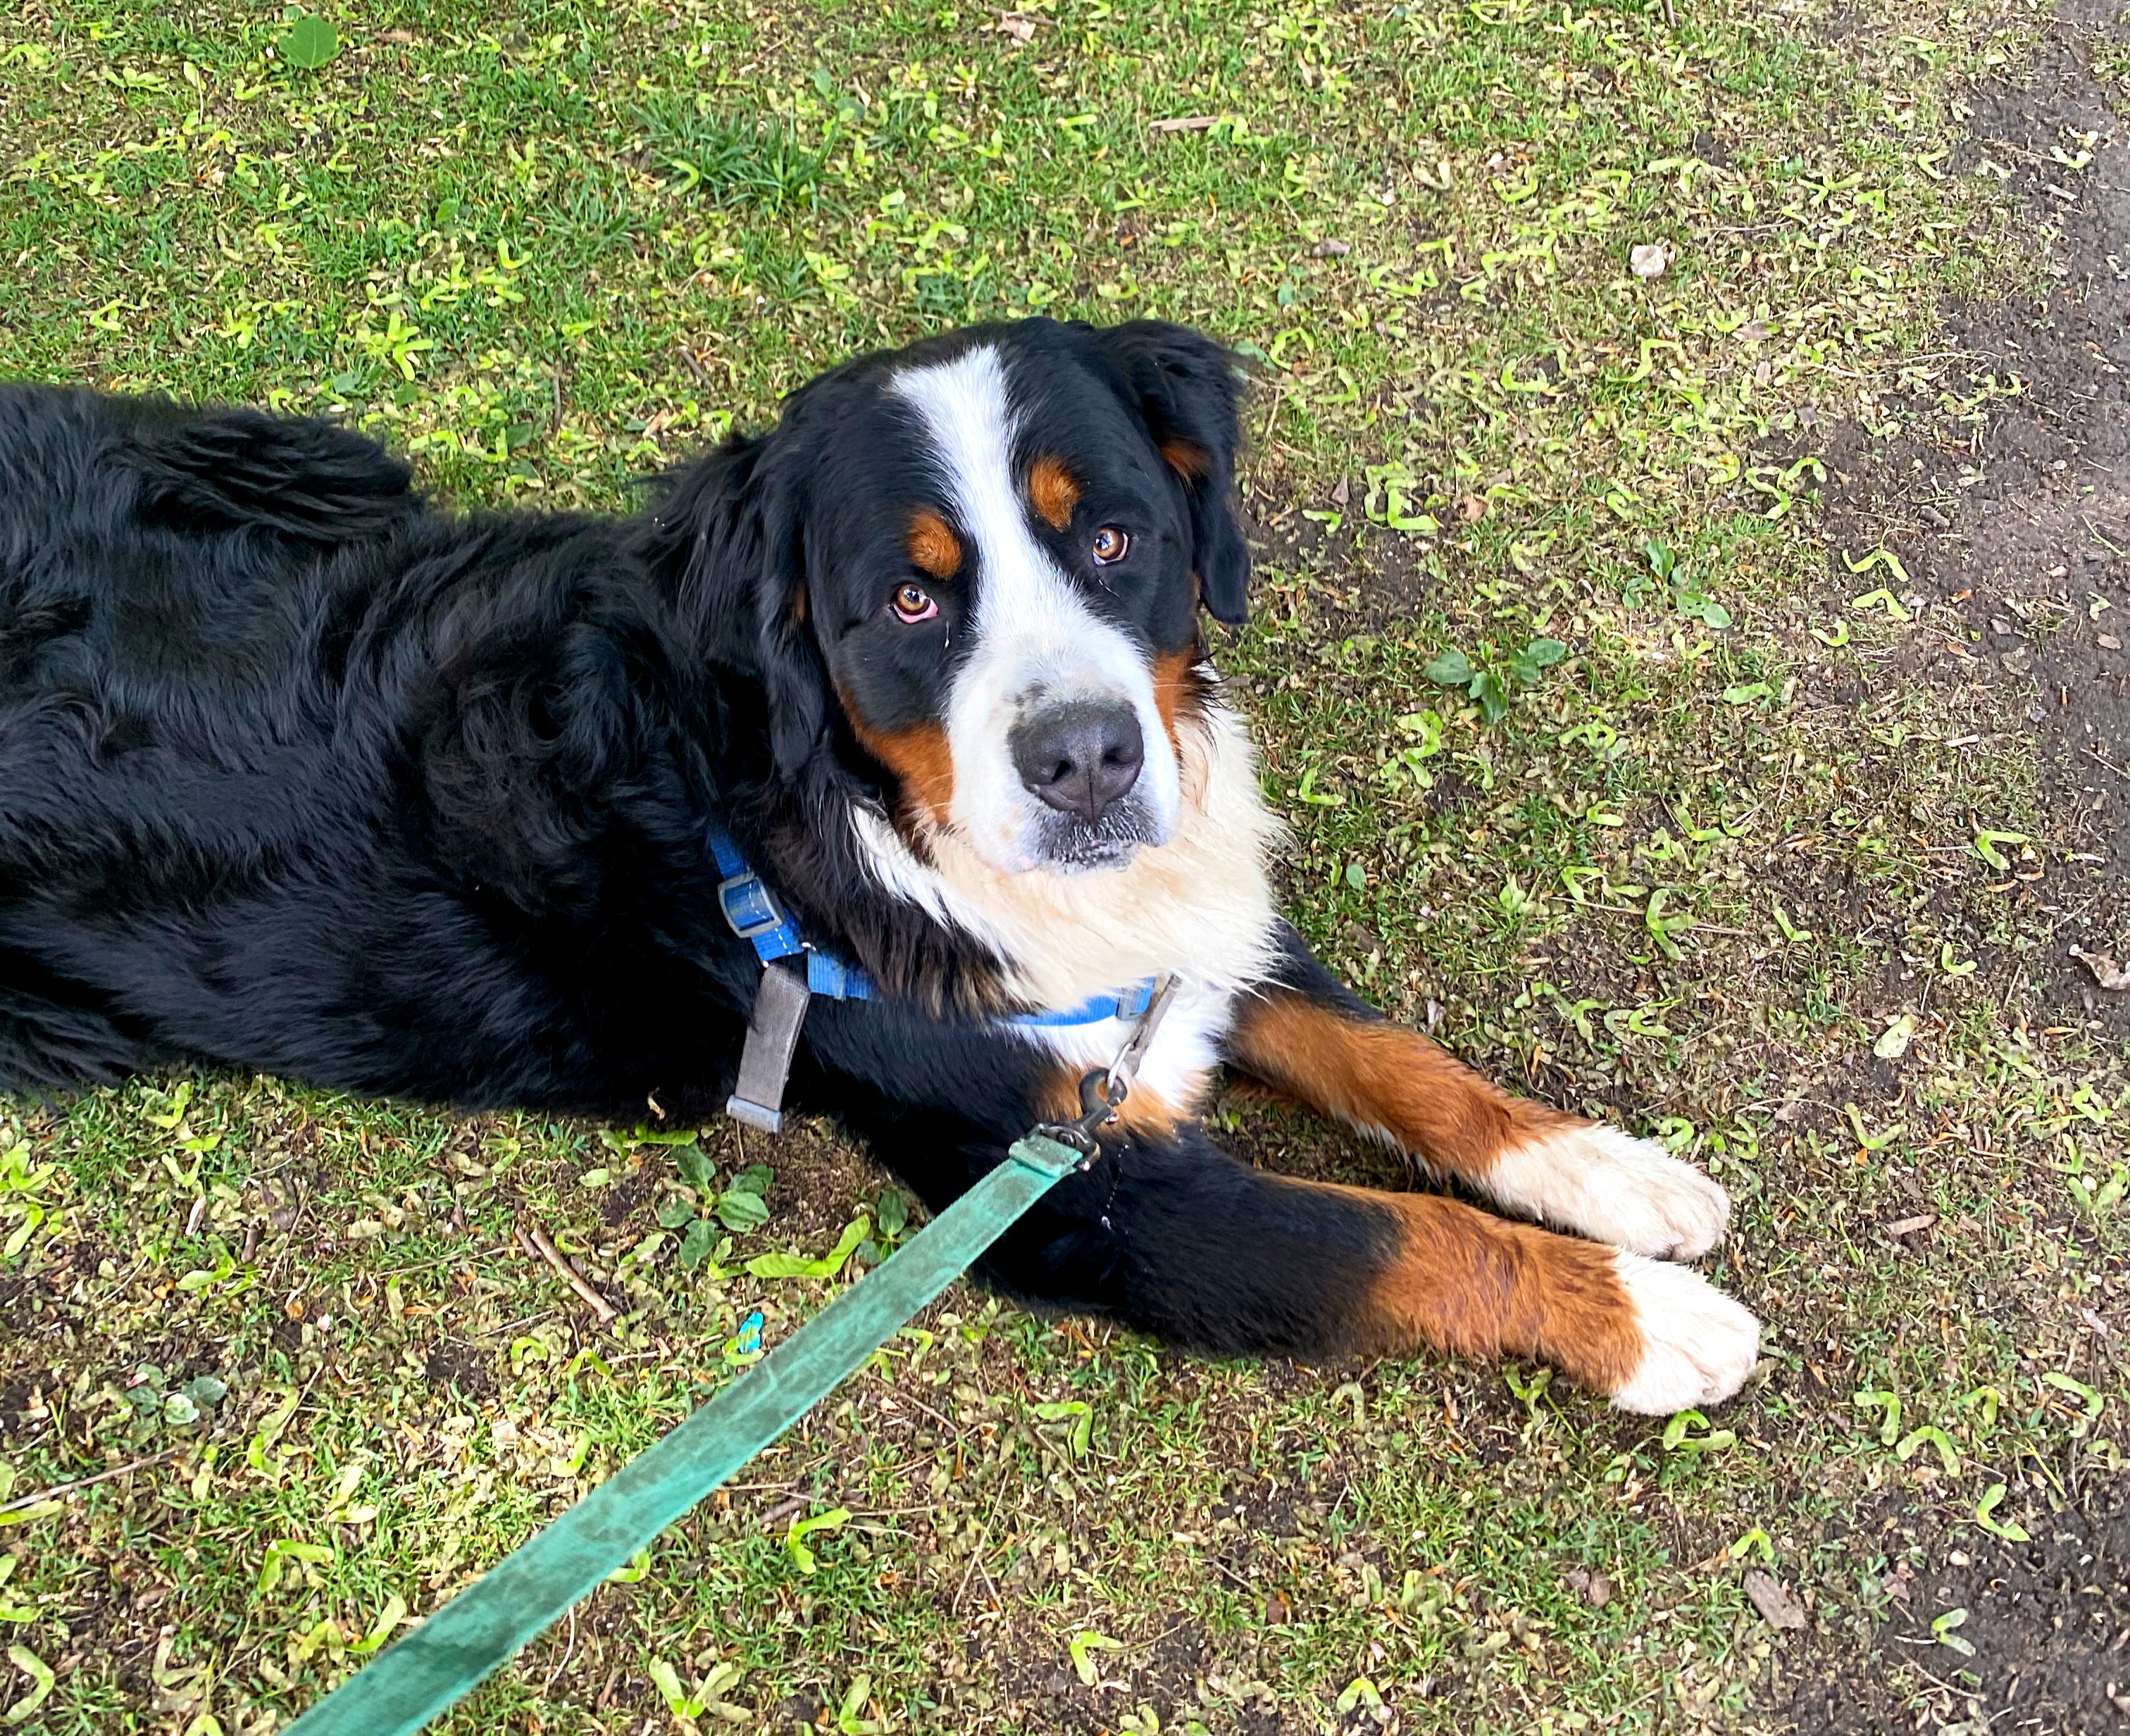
x: 983, y: 561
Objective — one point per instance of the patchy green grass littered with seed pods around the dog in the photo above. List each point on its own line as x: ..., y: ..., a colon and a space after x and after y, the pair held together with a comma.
x: 551, y: 248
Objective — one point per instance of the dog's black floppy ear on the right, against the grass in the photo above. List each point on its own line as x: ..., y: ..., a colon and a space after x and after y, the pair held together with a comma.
x: 1190, y: 393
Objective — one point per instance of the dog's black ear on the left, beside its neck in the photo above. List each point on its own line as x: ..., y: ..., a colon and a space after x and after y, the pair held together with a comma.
x: 734, y: 527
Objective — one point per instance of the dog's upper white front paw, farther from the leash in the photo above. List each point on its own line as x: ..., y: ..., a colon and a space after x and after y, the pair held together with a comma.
x: 1613, y: 1188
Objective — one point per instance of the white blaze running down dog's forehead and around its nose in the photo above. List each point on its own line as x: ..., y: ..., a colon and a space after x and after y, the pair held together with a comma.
x: 1034, y: 636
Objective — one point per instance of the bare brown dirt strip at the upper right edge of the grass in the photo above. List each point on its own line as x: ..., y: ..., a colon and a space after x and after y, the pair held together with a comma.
x: 2031, y: 529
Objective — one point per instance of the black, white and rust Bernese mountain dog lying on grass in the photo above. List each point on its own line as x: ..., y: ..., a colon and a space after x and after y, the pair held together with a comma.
x: 306, y: 776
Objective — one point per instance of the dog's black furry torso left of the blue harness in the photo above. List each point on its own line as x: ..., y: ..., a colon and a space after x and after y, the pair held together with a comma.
x: 304, y: 776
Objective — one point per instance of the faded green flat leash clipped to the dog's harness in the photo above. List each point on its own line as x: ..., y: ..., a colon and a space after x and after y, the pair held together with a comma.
x: 495, y: 1618
